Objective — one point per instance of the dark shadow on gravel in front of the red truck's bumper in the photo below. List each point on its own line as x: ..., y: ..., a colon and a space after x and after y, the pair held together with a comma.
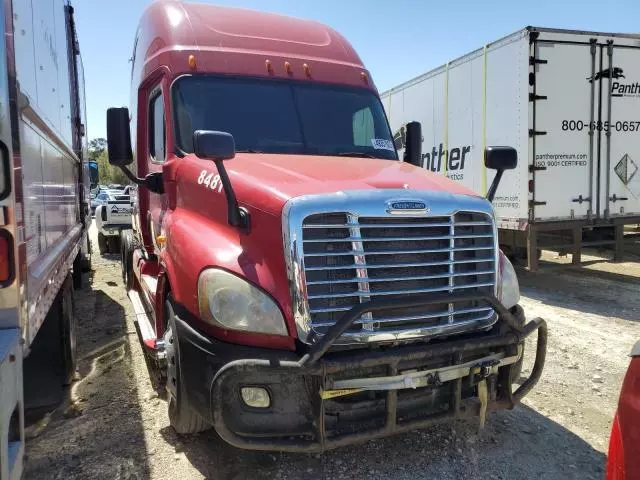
x: 544, y: 449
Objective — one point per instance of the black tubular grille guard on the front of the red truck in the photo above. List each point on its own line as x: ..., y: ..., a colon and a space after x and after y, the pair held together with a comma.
x: 314, y: 363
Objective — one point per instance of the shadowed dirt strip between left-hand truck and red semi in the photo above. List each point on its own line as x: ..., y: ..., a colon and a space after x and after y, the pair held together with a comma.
x: 97, y: 432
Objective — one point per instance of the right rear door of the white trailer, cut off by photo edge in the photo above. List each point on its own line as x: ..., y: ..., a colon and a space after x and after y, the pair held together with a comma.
x: 620, y: 144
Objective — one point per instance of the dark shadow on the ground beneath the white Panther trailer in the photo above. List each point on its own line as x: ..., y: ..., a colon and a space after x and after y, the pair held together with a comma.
x: 605, y: 293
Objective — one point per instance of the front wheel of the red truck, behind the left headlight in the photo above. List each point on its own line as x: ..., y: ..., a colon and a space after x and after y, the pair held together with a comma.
x: 182, y: 417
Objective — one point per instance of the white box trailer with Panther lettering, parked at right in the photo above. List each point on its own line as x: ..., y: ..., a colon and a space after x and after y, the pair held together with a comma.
x: 569, y: 102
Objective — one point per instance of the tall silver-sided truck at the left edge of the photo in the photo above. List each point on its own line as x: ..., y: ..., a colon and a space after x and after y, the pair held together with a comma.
x: 45, y: 180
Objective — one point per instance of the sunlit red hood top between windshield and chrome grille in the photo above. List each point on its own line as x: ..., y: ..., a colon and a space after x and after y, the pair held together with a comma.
x: 267, y: 182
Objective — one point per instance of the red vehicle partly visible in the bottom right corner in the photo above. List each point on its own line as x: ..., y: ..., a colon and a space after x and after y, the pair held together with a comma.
x: 624, y: 445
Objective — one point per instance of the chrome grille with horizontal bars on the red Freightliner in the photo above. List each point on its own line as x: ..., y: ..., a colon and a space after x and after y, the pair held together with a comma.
x: 350, y: 259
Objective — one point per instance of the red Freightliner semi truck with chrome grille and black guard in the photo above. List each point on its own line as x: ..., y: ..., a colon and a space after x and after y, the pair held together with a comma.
x: 301, y: 286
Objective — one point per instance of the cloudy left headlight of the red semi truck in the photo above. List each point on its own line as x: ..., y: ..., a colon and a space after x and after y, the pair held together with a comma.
x: 230, y: 302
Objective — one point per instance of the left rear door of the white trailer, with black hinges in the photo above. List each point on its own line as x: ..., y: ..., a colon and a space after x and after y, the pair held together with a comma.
x: 563, y: 106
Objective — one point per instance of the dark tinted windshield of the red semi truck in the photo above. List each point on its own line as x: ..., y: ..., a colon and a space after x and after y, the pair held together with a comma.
x: 266, y: 116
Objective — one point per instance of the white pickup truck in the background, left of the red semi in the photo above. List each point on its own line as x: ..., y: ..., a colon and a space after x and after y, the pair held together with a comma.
x: 112, y: 217
